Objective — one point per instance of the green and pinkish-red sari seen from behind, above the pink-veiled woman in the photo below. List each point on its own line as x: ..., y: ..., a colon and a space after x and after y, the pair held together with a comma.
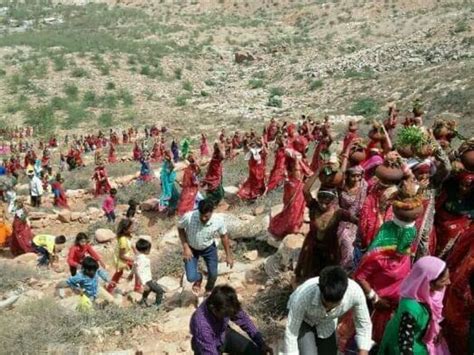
x: 385, y: 266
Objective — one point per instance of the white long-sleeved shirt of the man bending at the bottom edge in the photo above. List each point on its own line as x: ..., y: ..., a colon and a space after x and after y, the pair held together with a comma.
x: 305, y: 305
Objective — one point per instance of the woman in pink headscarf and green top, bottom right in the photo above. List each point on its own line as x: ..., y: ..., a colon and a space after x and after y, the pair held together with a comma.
x: 414, y: 328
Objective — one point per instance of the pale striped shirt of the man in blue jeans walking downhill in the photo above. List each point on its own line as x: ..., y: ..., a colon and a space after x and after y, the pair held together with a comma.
x: 201, y: 236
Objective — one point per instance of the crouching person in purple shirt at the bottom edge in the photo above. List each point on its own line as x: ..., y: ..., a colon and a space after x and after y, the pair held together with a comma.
x: 211, y: 334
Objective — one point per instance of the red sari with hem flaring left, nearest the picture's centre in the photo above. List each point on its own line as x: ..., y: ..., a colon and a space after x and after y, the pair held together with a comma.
x: 254, y: 186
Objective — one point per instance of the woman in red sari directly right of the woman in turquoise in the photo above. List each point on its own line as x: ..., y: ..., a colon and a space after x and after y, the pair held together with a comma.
x: 190, y: 186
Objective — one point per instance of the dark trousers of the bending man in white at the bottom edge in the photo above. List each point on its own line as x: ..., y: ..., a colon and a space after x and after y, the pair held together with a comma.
x: 310, y: 344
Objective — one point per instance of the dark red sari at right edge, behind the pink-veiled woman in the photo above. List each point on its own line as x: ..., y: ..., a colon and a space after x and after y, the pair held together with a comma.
x: 459, y: 300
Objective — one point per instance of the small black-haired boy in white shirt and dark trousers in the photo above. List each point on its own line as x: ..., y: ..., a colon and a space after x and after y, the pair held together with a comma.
x: 142, y: 271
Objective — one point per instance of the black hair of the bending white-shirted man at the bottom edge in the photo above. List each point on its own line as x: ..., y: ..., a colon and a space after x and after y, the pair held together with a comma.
x: 333, y: 283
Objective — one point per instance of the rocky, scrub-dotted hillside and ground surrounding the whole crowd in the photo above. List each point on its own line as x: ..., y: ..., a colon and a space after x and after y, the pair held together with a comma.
x: 77, y: 66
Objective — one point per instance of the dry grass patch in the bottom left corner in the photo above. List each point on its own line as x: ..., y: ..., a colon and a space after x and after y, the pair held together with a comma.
x: 64, y: 328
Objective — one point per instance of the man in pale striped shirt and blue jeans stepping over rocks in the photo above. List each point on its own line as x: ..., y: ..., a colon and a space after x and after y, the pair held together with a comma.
x: 197, y: 232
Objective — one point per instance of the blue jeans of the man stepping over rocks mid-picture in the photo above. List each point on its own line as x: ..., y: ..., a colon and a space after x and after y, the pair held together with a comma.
x: 210, y: 258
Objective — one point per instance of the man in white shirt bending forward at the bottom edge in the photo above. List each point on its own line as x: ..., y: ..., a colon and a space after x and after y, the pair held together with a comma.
x: 315, y: 307
